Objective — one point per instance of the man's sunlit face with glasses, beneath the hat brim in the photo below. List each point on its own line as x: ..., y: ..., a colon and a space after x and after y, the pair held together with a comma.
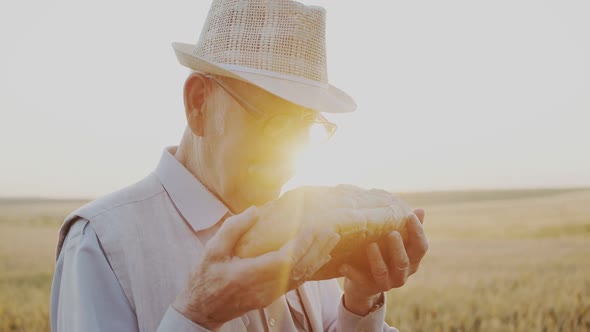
x: 254, y: 155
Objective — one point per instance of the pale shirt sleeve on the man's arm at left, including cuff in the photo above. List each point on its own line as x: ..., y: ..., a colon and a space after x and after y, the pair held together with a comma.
x: 86, y: 295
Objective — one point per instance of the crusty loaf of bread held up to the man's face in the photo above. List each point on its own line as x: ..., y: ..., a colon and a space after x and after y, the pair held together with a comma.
x: 359, y: 216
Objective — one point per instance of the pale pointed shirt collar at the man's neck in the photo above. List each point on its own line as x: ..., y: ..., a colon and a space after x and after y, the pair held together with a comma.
x: 192, y: 199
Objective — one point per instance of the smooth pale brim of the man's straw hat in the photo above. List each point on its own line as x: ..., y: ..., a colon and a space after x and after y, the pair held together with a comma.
x: 327, y: 99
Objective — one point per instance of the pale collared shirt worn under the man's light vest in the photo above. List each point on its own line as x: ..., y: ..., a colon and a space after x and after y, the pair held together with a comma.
x: 86, y: 295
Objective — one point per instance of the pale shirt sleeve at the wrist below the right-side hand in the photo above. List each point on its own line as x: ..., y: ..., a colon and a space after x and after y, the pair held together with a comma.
x: 337, y: 318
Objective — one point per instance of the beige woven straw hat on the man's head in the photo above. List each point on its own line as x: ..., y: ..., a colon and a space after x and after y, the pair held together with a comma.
x: 277, y: 45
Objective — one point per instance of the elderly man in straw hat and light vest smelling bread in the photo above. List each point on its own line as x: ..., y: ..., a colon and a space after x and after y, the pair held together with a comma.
x: 159, y: 255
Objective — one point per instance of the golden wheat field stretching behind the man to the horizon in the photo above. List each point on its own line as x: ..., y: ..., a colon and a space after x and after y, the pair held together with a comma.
x: 498, y: 261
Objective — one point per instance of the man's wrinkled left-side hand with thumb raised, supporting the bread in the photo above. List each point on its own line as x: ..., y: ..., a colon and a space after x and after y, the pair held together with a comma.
x: 223, y: 286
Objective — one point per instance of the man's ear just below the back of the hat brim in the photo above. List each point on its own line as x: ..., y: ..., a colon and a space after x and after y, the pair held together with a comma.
x: 195, y: 90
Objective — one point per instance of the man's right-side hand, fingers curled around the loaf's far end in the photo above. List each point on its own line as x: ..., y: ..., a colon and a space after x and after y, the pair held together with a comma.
x: 362, y: 290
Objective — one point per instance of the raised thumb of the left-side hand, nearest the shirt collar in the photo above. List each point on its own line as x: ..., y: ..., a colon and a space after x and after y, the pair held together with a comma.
x: 224, y: 241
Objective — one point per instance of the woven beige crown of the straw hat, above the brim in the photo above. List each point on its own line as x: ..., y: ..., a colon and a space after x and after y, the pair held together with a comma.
x: 280, y: 36
